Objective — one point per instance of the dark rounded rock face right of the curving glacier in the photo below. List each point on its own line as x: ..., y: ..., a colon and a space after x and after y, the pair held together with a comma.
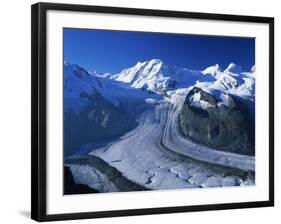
x: 229, y: 128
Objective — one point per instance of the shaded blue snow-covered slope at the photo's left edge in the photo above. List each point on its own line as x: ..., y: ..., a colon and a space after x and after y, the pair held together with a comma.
x: 78, y: 83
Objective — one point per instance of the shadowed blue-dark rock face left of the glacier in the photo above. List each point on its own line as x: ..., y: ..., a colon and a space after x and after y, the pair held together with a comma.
x: 99, y: 121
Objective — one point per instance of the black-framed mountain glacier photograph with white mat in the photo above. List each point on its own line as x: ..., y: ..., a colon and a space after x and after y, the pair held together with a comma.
x: 139, y: 111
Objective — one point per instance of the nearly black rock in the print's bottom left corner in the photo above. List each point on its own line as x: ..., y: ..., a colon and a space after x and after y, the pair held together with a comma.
x: 70, y: 187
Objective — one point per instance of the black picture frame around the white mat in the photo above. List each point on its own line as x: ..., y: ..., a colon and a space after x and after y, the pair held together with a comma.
x: 39, y: 122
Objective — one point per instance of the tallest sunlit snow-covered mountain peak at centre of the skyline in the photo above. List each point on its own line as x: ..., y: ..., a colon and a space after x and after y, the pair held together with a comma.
x: 156, y: 76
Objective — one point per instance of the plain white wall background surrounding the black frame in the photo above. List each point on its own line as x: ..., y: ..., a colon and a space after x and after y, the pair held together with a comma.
x: 15, y: 110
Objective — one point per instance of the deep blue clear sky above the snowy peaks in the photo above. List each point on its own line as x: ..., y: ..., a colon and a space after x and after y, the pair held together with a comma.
x: 112, y: 51
